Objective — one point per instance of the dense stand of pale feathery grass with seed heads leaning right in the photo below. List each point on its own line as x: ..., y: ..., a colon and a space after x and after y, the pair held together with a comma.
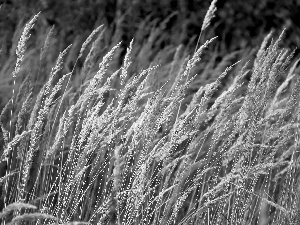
x: 115, y: 147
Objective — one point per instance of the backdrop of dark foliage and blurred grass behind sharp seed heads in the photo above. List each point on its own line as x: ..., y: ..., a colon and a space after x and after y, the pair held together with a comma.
x: 157, y: 27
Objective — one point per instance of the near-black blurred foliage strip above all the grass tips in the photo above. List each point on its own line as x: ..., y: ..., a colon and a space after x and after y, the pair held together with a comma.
x: 238, y: 22
